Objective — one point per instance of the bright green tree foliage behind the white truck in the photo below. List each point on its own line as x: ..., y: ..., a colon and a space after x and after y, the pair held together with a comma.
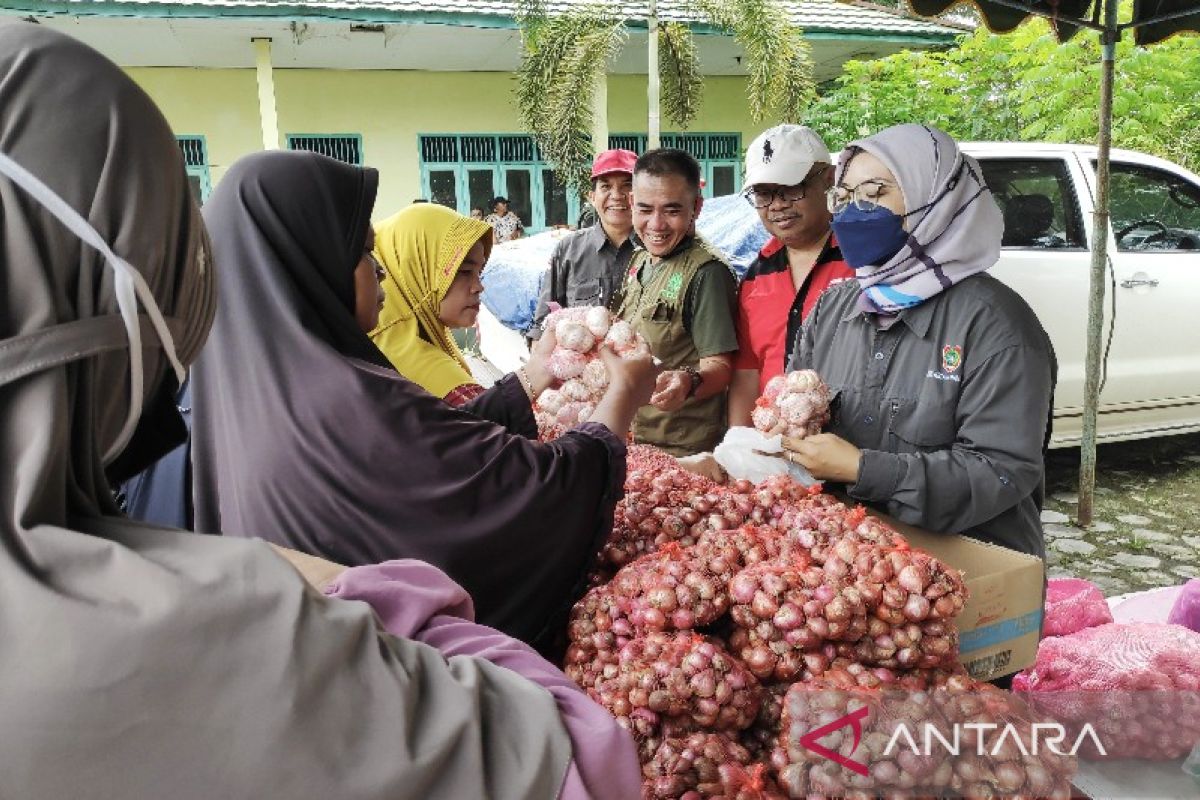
x: 1025, y: 87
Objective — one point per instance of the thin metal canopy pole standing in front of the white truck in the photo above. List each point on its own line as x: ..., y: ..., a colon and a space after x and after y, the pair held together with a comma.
x: 1100, y: 262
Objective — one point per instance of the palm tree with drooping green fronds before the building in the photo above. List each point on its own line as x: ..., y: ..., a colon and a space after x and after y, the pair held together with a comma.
x: 562, y: 81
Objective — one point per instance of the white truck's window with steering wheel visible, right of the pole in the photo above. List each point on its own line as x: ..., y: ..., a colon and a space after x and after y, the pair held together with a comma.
x: 1154, y: 210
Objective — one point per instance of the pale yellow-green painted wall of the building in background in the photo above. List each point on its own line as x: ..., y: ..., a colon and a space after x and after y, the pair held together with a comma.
x: 391, y: 110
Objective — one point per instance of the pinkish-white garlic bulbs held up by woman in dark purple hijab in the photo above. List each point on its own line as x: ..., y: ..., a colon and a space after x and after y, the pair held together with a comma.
x: 579, y: 334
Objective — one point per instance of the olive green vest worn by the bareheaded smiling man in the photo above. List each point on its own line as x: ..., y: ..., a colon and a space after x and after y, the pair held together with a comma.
x: 655, y: 310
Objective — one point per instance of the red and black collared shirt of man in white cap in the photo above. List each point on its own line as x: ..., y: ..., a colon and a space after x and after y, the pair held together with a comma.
x: 771, y: 309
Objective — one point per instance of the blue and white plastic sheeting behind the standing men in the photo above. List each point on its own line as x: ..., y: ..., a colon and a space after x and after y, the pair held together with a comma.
x: 515, y: 272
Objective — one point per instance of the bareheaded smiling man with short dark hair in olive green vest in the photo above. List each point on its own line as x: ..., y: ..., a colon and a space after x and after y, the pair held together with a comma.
x: 683, y: 299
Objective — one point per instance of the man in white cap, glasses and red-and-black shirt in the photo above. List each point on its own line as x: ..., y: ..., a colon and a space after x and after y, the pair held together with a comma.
x: 788, y: 172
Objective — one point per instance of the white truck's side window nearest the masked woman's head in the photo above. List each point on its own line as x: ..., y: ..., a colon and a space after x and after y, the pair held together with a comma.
x: 1039, y: 202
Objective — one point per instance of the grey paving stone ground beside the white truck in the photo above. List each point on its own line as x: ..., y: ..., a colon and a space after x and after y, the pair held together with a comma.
x: 1147, y: 527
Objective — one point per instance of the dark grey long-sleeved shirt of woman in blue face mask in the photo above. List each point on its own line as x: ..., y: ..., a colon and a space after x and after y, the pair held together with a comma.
x: 951, y: 407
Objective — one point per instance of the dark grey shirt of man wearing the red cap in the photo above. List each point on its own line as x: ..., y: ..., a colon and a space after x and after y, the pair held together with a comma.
x: 585, y: 270
